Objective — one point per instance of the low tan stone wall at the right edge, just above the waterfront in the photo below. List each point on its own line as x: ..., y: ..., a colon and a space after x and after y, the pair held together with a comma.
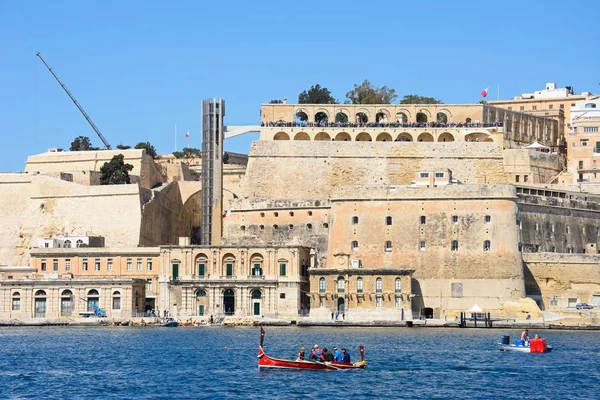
x: 552, y: 279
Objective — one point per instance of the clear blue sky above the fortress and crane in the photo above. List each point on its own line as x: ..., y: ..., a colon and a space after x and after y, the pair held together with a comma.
x: 139, y: 67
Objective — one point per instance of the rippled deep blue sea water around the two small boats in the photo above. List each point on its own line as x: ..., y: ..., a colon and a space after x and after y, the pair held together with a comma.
x: 220, y: 362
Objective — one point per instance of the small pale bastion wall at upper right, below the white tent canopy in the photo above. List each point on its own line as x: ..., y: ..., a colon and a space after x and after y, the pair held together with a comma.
x: 530, y: 166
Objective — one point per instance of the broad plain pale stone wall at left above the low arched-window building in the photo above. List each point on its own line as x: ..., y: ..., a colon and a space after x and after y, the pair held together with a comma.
x: 35, y: 206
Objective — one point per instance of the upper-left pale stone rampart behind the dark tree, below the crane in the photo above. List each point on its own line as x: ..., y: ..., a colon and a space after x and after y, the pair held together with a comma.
x: 84, y: 161
